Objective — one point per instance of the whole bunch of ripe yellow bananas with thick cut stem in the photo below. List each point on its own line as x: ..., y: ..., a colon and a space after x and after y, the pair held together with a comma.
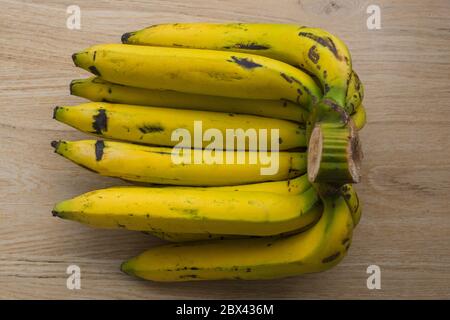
x: 227, y: 221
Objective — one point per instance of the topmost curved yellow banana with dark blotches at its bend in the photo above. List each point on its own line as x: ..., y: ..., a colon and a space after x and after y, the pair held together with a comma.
x: 319, y: 52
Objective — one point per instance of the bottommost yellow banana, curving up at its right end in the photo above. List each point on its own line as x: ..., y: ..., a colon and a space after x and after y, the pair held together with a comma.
x: 317, y: 249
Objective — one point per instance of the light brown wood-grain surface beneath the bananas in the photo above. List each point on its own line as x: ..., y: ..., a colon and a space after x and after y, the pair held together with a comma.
x: 405, y: 228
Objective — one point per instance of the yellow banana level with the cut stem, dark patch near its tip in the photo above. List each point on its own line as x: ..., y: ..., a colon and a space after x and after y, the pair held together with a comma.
x: 155, y: 164
